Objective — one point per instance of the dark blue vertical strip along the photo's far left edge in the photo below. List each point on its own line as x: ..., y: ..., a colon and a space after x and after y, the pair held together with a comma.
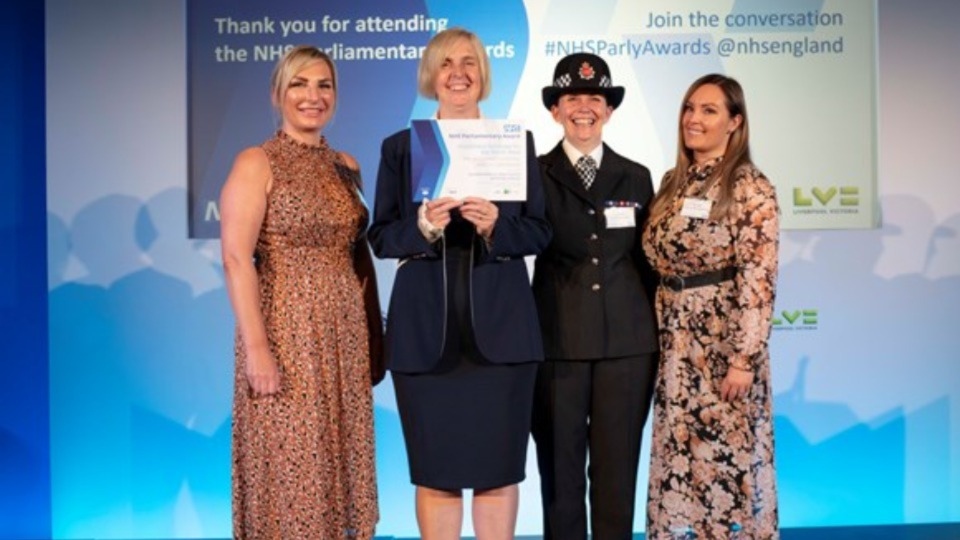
x: 24, y: 439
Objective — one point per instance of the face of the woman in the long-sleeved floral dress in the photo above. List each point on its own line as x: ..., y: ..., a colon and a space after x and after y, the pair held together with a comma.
x: 706, y: 123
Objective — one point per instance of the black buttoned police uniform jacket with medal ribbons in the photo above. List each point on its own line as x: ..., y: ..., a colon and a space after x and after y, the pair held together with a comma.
x: 593, y: 285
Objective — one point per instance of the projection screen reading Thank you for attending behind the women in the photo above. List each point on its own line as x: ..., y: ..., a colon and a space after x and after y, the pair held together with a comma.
x: 232, y: 46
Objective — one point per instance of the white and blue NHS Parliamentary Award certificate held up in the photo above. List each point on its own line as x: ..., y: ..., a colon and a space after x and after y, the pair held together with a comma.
x: 462, y: 158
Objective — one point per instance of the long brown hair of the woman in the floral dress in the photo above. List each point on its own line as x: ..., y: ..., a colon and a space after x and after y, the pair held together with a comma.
x: 736, y: 154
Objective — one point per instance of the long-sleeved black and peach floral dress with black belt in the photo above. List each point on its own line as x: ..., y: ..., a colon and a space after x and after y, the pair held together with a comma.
x: 711, y: 466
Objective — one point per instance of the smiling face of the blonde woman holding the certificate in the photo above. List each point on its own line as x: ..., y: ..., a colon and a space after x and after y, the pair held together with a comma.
x: 458, y: 82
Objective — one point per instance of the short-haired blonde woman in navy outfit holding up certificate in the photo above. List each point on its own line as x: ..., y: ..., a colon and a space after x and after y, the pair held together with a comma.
x: 463, y: 339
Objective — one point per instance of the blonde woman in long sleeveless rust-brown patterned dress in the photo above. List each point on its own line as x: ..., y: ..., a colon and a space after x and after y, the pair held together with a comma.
x: 292, y: 224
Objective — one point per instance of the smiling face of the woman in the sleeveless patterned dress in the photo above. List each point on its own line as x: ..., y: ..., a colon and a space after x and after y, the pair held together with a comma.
x: 308, y: 102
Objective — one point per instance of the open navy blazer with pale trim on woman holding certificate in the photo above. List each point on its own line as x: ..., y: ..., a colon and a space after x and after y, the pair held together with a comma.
x: 504, y: 315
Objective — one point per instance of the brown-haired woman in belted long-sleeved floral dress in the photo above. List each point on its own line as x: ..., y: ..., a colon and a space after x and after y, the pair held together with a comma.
x: 713, y: 237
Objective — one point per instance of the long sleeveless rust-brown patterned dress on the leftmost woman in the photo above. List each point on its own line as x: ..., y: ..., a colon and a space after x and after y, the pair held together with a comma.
x: 303, y: 459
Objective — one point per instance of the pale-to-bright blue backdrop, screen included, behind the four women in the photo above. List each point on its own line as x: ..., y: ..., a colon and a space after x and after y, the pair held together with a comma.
x: 853, y: 118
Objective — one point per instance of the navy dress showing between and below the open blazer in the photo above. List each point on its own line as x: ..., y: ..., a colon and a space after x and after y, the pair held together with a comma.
x: 466, y: 423
